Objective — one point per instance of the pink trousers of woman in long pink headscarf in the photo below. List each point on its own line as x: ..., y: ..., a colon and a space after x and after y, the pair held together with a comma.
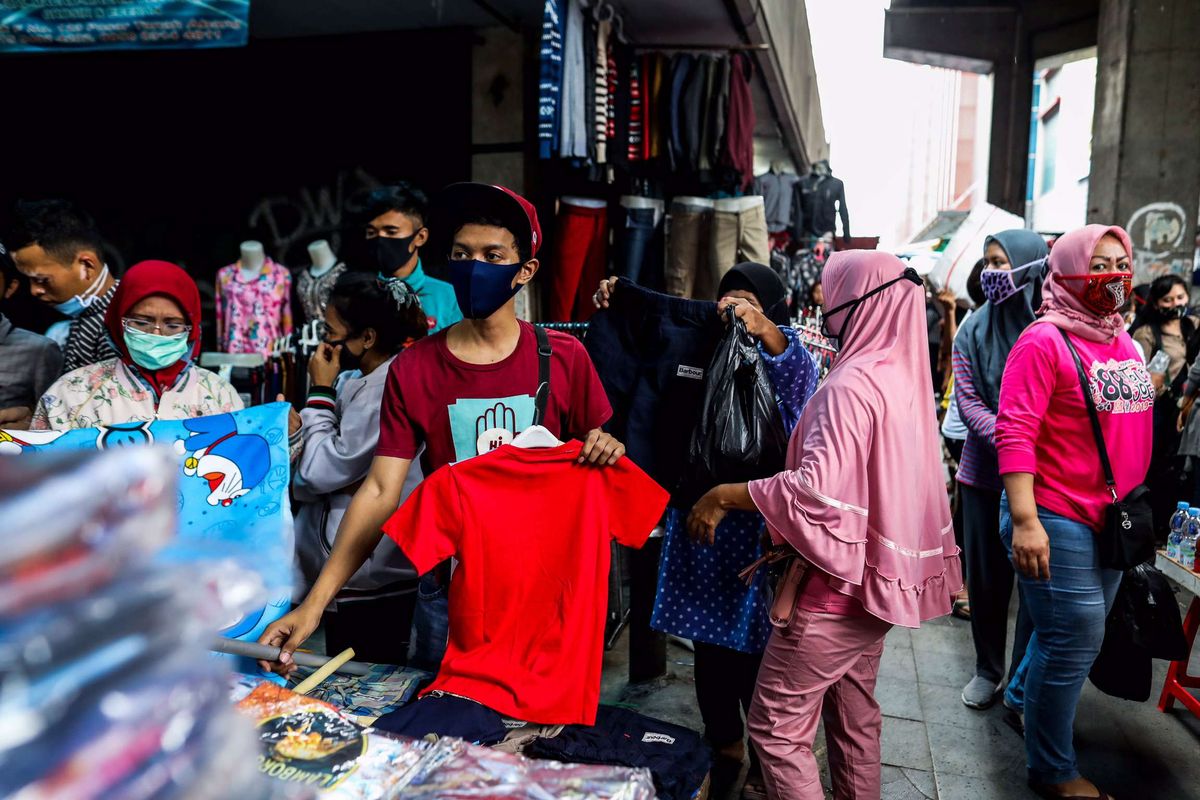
x: 820, y: 660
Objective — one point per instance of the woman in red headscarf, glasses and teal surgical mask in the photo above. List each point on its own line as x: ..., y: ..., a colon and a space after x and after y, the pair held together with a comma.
x: 155, y: 324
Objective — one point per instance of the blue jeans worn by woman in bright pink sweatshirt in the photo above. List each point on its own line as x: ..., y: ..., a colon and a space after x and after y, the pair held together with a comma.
x: 1069, y: 613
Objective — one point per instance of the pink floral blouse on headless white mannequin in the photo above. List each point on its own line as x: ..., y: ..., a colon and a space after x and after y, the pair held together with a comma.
x: 251, y: 315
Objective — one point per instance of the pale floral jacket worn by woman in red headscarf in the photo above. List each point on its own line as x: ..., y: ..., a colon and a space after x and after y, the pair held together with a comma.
x: 111, y: 393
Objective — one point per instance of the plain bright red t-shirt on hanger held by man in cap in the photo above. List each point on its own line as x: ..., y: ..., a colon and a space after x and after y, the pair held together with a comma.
x: 532, y: 531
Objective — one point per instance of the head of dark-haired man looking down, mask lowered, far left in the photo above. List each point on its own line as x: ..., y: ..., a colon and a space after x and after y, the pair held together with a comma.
x: 56, y: 245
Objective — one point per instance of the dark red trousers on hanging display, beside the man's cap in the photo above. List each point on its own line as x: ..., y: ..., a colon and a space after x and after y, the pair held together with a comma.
x: 581, y: 257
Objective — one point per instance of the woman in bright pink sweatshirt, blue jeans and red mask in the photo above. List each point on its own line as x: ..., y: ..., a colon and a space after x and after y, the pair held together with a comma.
x: 1055, y: 489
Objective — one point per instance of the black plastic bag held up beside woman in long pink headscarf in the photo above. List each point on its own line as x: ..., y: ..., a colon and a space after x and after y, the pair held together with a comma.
x: 741, y: 434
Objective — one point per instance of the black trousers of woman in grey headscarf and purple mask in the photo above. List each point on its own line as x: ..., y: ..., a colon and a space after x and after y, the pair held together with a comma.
x: 991, y: 579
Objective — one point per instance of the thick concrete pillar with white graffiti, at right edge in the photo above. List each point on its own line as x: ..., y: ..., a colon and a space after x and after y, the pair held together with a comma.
x: 1147, y: 131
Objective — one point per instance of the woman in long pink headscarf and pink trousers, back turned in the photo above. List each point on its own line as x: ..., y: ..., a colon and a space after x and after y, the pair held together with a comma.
x: 863, y: 503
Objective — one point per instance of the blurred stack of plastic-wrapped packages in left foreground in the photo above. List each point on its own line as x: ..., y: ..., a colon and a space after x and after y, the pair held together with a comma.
x: 106, y: 689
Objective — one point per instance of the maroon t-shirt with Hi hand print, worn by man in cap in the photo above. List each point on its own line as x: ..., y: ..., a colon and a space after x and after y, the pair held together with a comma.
x: 459, y: 411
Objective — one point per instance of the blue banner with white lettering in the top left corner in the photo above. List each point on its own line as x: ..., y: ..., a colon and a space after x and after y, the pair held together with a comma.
x: 70, y: 26
